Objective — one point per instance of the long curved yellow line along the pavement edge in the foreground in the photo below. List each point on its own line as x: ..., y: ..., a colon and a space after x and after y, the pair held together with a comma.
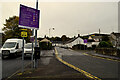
x: 76, y: 68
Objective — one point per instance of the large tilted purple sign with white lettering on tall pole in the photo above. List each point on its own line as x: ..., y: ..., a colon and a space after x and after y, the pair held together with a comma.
x: 29, y: 17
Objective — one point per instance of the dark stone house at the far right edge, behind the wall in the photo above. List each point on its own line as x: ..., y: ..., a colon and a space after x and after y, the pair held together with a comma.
x: 115, y: 39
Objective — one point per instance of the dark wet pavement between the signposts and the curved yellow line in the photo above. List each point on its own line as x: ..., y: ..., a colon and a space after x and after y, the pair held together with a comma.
x: 48, y: 68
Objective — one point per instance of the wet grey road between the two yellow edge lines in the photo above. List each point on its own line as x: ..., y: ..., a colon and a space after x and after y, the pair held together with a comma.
x: 98, y: 67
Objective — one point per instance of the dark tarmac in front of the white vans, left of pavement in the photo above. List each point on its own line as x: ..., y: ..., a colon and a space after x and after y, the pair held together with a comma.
x: 11, y: 65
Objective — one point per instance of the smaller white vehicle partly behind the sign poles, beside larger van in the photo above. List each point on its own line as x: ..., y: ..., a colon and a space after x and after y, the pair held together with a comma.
x: 28, y: 49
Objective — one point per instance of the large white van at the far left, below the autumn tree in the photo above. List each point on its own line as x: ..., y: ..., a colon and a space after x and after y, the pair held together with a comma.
x: 12, y: 47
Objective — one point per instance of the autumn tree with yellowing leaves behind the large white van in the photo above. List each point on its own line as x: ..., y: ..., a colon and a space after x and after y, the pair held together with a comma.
x: 11, y: 29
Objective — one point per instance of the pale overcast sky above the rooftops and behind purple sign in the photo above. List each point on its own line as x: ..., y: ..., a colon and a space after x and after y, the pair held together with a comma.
x: 69, y: 18
